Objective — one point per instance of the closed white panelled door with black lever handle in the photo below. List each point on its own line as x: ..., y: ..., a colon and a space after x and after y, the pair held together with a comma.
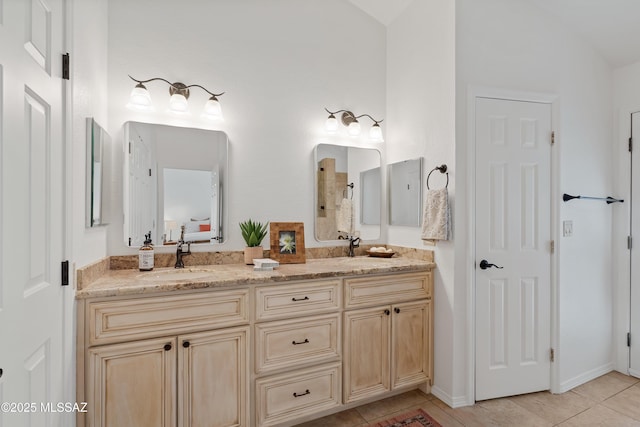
x: 513, y: 231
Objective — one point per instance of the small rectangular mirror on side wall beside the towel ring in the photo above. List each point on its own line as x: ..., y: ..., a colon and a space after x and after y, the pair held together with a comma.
x: 405, y: 193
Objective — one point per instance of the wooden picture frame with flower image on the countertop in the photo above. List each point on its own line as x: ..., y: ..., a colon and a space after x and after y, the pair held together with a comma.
x: 287, y: 242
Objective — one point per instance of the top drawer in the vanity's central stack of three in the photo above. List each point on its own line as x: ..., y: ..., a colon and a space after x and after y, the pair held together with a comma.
x: 297, y: 299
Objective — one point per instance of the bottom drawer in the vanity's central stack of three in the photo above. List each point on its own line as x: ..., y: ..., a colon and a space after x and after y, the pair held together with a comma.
x: 289, y: 396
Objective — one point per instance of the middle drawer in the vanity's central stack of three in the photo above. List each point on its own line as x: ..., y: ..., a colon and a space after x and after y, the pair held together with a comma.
x: 290, y: 343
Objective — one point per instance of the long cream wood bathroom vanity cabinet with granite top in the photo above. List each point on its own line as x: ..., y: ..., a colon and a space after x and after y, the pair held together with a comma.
x: 255, y: 350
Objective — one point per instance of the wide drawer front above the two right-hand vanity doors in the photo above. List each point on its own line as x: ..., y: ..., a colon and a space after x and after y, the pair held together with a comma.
x: 365, y: 291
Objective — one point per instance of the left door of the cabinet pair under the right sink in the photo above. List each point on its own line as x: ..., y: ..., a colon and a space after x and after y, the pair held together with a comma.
x: 366, y: 358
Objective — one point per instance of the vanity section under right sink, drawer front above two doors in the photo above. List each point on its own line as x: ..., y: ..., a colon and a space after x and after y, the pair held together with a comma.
x: 387, y: 346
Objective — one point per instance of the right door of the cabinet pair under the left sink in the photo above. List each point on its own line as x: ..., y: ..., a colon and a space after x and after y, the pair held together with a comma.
x: 213, y: 383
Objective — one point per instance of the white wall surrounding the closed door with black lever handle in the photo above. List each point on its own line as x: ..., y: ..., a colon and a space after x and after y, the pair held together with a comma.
x: 511, y: 45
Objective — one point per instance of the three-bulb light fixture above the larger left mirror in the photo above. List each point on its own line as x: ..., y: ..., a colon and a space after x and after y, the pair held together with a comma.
x: 141, y: 100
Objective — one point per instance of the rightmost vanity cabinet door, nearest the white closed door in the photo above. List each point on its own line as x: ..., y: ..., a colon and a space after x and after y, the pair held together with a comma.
x: 410, y: 343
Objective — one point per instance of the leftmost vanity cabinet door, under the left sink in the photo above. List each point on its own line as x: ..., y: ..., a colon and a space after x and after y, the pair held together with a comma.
x: 132, y: 384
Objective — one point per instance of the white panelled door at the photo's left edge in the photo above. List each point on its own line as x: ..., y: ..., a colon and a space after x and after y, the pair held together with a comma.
x: 32, y: 226
